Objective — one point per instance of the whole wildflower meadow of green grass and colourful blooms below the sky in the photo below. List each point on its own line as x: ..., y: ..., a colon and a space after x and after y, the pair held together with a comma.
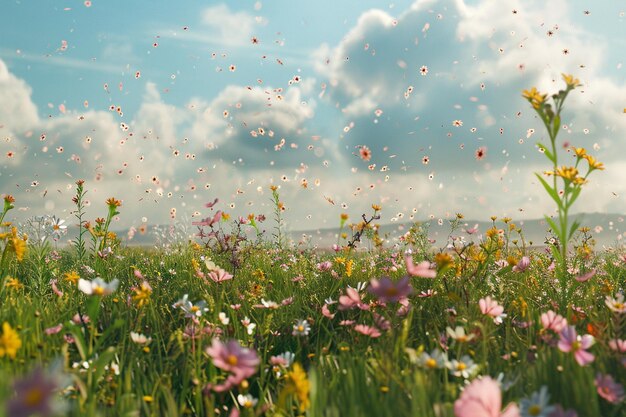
x: 231, y: 325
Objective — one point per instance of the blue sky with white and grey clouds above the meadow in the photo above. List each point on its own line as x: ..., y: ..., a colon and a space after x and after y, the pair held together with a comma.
x: 329, y: 78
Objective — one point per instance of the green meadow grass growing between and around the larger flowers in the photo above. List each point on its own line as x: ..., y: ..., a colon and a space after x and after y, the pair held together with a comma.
x: 350, y: 374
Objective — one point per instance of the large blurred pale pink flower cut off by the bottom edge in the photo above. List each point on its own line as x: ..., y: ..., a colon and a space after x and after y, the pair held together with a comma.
x: 482, y: 398
